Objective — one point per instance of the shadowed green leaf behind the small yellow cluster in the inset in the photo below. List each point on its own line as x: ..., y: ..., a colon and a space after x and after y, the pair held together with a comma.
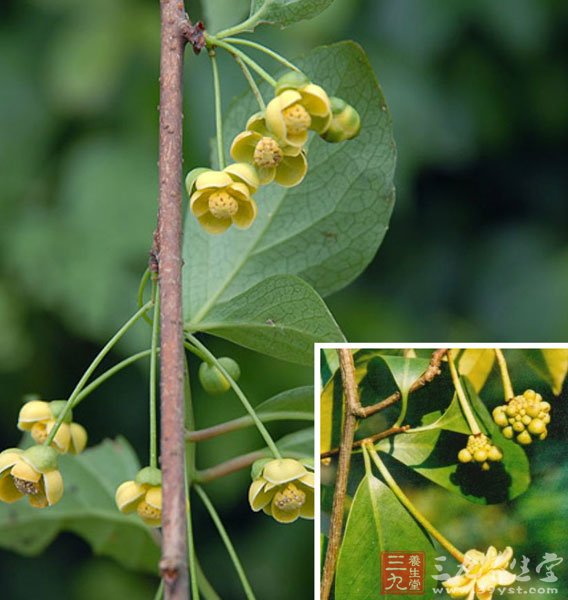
x: 504, y: 481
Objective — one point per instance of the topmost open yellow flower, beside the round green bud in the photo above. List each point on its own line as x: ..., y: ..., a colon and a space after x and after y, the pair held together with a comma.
x: 293, y: 111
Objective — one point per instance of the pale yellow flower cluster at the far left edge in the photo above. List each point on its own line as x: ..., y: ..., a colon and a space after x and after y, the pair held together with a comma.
x: 33, y: 473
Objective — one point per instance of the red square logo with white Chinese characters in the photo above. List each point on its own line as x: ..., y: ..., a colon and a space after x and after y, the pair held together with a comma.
x: 402, y: 573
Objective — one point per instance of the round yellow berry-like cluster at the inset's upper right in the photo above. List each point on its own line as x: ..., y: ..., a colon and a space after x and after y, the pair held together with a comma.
x: 524, y: 417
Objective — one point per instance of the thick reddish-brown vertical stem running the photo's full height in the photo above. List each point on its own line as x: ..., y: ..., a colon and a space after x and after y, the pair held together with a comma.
x: 167, y: 250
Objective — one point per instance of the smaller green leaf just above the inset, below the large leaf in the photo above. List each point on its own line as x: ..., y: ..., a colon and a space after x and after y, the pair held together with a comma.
x: 282, y: 316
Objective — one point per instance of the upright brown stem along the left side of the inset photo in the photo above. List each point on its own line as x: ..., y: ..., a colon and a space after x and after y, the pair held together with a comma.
x: 352, y: 406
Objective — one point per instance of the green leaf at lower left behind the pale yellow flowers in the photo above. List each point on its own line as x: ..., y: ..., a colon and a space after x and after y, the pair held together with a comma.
x: 87, y: 509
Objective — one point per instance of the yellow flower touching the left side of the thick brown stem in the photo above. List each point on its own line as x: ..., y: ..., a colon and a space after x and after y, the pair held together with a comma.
x: 142, y: 495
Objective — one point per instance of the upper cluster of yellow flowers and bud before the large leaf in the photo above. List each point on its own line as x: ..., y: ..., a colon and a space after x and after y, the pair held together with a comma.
x: 272, y: 148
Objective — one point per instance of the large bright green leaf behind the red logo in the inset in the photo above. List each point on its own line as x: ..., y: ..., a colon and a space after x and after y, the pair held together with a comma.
x: 377, y: 523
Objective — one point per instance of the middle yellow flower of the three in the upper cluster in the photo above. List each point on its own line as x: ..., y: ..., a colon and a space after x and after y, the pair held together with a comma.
x: 287, y: 165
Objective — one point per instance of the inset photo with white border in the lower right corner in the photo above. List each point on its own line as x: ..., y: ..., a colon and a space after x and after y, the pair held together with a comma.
x: 443, y: 472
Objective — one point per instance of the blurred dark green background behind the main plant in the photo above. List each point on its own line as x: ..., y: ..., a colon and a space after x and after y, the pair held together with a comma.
x: 476, y: 250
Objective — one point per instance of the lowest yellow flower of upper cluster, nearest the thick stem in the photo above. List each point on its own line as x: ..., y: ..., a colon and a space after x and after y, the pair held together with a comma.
x: 220, y: 199
